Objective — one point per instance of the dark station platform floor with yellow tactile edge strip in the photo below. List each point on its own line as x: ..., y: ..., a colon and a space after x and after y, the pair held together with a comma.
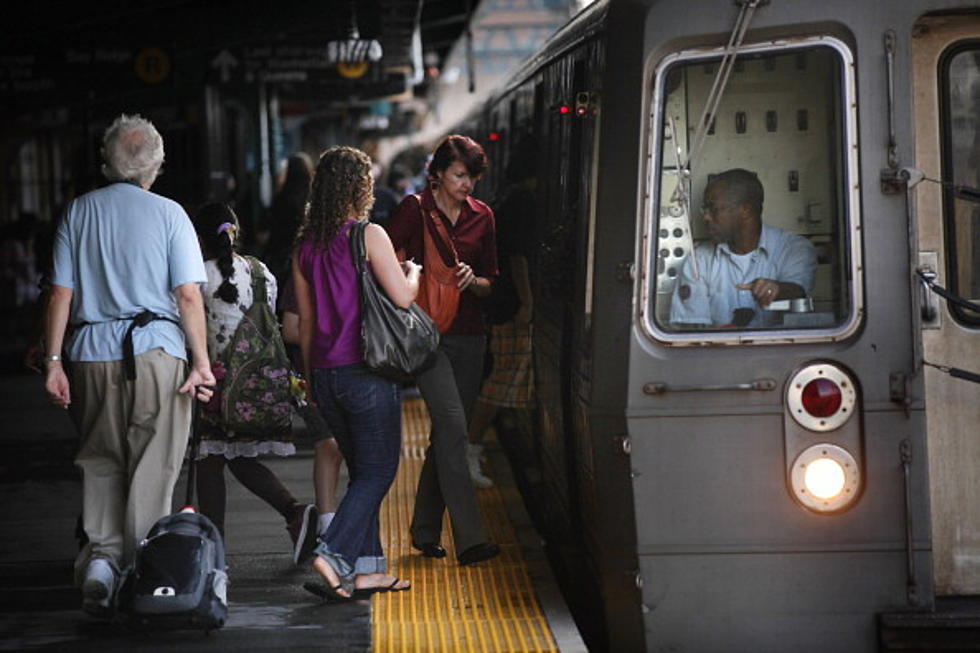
x: 510, y: 603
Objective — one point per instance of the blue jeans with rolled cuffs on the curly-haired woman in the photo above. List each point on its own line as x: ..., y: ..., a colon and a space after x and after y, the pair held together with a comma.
x: 364, y: 412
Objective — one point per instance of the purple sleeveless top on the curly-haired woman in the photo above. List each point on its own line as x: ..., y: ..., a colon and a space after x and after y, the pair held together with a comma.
x: 336, y: 300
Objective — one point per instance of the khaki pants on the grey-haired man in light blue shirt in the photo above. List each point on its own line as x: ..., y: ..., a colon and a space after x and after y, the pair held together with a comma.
x: 133, y: 438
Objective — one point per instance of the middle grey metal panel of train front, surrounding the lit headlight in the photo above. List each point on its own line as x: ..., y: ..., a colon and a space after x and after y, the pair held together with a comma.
x: 708, y: 485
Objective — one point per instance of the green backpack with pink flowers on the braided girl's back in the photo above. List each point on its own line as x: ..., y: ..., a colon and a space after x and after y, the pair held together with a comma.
x: 255, y: 394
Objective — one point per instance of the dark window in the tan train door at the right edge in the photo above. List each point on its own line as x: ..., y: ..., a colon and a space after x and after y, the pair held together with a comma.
x: 961, y: 95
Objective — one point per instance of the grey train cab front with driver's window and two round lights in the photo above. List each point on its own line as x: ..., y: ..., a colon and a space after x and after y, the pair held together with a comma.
x: 768, y: 483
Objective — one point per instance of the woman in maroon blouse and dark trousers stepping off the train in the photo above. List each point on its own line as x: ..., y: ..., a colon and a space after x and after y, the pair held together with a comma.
x: 451, y: 386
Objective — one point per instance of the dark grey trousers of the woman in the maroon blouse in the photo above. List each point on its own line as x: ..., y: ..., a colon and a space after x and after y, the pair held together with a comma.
x: 450, y: 389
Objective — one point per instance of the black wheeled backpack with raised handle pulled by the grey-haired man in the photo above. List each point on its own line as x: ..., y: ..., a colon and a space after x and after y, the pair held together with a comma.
x: 178, y: 579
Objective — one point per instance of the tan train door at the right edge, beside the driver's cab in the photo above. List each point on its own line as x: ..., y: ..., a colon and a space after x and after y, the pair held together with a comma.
x: 946, y: 69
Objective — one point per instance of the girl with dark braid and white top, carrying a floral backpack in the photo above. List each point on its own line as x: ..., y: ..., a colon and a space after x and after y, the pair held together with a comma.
x: 227, y: 295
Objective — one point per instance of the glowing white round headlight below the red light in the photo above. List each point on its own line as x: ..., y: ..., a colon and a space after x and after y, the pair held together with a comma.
x: 825, y: 478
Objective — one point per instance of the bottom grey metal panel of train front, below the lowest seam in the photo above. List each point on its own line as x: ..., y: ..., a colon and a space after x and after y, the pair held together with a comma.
x: 768, y: 604
